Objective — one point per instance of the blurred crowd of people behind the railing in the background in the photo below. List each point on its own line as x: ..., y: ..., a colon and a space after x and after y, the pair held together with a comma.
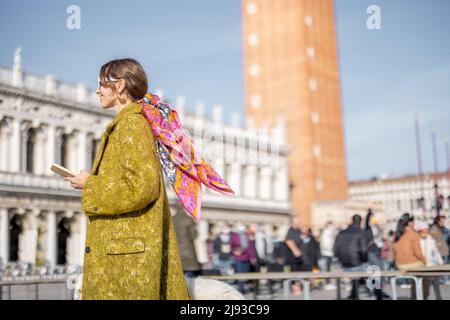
x: 239, y: 248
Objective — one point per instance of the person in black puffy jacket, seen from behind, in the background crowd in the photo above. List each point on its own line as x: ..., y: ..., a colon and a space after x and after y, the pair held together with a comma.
x: 351, y: 250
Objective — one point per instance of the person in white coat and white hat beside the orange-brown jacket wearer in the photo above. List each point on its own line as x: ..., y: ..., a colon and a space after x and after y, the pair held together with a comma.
x: 431, y: 254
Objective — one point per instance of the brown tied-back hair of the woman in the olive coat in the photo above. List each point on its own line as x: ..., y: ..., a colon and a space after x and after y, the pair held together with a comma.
x: 131, y: 71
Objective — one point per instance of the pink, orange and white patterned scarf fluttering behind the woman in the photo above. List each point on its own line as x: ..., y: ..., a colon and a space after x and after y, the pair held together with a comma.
x: 184, y: 168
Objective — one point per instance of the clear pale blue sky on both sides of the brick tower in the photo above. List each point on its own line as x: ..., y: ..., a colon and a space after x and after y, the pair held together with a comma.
x: 193, y: 48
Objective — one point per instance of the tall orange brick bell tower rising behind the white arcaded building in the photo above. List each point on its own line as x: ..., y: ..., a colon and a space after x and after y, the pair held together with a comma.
x: 291, y: 68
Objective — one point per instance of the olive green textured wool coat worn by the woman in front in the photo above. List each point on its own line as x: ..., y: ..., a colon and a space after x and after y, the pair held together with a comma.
x: 131, y: 249
